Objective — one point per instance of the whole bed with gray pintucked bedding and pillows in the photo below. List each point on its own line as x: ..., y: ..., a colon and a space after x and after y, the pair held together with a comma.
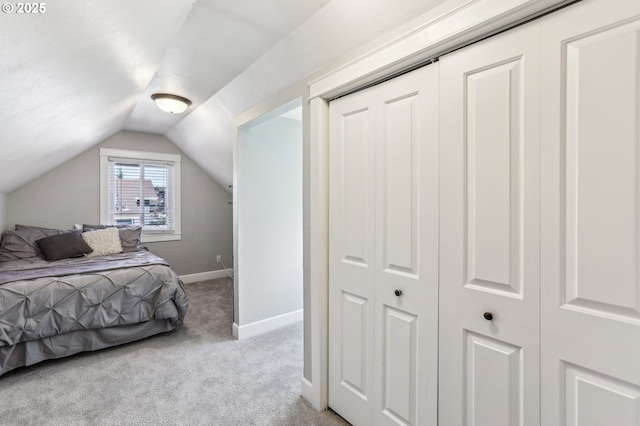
x: 57, y: 299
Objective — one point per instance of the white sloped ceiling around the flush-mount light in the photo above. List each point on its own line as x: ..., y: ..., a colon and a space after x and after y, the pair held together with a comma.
x: 82, y: 71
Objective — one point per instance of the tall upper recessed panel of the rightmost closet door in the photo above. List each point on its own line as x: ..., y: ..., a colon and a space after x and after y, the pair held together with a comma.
x: 601, y: 179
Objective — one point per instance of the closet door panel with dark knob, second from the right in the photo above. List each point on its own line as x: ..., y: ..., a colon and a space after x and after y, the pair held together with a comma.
x: 489, y: 237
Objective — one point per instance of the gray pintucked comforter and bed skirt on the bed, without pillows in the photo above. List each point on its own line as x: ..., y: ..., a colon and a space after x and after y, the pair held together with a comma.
x: 54, y: 309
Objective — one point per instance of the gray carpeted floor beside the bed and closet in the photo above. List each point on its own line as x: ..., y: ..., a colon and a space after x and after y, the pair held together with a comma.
x: 198, y: 375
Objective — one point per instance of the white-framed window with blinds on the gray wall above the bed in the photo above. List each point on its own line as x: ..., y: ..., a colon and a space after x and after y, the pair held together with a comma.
x: 141, y: 188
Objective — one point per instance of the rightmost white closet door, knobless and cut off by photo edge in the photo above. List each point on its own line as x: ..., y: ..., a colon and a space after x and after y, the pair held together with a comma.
x: 591, y: 215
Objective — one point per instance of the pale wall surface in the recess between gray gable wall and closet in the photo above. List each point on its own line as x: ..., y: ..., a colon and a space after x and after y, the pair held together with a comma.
x: 269, y: 275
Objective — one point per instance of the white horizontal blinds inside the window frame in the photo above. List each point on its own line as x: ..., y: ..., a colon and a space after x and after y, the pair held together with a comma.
x: 142, y: 193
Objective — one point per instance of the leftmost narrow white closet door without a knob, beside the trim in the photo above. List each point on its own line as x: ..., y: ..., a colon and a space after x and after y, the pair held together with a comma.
x: 352, y: 257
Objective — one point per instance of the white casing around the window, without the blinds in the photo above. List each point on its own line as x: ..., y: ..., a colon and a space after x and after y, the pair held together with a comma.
x: 176, y: 159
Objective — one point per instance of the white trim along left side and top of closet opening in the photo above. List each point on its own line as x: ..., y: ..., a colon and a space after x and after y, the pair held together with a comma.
x: 453, y: 24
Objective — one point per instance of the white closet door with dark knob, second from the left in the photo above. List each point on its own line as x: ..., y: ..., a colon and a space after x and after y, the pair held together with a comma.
x: 407, y: 249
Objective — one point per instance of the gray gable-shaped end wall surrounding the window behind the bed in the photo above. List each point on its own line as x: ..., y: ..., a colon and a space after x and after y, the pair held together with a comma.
x: 70, y: 194
